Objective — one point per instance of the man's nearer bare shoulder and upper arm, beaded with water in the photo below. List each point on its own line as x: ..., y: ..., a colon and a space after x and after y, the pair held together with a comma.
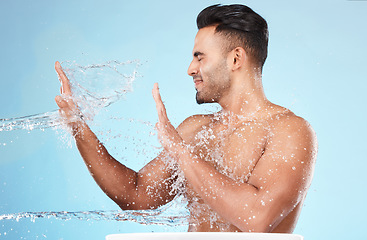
x: 291, y: 149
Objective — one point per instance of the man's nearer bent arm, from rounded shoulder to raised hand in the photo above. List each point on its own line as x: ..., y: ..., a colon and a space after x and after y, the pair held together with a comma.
x: 278, y: 182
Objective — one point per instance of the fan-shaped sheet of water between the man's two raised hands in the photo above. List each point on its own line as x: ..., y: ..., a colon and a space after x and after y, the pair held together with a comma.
x: 97, y: 86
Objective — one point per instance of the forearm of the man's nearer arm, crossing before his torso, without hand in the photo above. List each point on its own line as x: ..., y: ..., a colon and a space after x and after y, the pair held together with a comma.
x: 231, y: 199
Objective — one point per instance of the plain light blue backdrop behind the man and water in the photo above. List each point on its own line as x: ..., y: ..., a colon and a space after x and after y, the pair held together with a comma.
x: 316, y: 67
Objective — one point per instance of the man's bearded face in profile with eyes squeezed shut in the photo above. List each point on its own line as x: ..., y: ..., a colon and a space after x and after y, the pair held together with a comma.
x: 209, y: 67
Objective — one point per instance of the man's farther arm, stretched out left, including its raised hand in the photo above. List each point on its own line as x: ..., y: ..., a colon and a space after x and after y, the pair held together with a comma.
x: 148, y: 188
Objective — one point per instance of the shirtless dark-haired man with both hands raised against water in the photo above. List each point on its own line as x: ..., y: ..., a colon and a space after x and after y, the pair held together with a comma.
x: 246, y: 168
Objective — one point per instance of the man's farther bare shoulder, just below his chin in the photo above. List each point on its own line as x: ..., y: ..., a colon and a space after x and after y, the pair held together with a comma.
x: 191, y: 125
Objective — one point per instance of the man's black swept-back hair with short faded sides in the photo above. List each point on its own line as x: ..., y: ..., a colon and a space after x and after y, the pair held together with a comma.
x: 241, y: 26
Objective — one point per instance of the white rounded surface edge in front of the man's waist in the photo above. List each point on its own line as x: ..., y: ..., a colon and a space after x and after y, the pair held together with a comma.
x: 203, y: 236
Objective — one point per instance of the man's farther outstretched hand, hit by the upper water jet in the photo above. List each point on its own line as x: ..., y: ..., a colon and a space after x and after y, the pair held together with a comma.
x: 68, y: 108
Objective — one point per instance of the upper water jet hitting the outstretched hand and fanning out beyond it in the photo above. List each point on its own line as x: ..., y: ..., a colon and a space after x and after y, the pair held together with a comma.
x: 94, y: 87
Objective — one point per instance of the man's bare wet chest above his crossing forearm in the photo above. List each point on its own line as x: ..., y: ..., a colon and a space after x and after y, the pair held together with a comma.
x: 233, y: 151
